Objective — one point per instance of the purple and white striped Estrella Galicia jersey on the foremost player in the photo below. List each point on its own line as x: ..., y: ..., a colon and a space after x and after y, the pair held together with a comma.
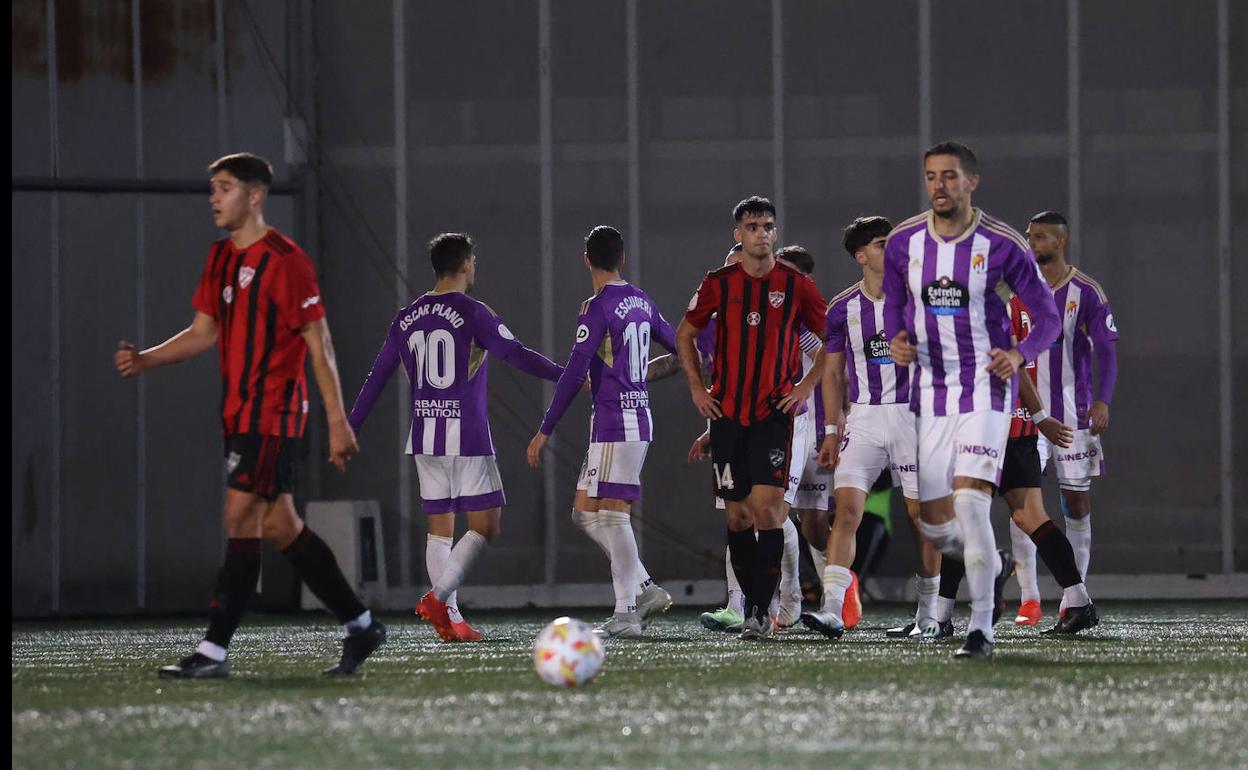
x: 947, y: 295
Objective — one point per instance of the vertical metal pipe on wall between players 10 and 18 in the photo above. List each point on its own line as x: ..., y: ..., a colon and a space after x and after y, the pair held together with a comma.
x: 547, y: 184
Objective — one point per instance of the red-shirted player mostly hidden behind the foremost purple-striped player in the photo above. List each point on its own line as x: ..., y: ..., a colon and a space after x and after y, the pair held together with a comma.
x: 1020, y: 490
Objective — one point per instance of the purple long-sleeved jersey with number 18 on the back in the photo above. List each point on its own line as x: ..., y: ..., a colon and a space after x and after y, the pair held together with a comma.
x: 613, y: 348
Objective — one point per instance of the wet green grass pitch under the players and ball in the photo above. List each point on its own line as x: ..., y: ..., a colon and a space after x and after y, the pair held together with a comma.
x: 1155, y: 686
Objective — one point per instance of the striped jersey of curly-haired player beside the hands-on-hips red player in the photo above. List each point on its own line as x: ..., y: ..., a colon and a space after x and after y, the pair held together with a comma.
x: 856, y: 328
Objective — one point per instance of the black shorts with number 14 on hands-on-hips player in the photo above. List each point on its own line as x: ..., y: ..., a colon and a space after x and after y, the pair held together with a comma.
x: 748, y: 456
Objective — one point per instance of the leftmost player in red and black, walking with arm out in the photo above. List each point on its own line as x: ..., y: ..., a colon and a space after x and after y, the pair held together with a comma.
x: 260, y: 304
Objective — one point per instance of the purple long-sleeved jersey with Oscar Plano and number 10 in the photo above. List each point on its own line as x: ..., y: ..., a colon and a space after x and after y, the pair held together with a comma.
x: 442, y: 340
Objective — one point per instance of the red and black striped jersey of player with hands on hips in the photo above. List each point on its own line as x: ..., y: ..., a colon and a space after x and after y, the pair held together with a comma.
x: 759, y: 321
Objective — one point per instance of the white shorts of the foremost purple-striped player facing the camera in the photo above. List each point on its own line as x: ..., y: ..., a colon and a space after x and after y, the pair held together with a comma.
x: 972, y: 445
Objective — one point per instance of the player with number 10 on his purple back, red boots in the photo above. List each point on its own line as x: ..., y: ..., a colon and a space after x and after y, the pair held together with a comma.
x: 444, y: 340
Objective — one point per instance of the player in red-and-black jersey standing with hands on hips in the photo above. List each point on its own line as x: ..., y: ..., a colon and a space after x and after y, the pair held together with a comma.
x: 761, y: 306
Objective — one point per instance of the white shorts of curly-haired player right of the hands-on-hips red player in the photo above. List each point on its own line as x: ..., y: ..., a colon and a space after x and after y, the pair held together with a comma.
x: 878, y: 437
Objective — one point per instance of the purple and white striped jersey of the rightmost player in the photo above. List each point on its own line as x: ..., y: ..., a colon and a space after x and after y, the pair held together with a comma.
x: 1064, y: 371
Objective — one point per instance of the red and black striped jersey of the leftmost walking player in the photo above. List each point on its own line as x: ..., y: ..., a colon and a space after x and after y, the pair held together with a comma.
x: 261, y: 299
